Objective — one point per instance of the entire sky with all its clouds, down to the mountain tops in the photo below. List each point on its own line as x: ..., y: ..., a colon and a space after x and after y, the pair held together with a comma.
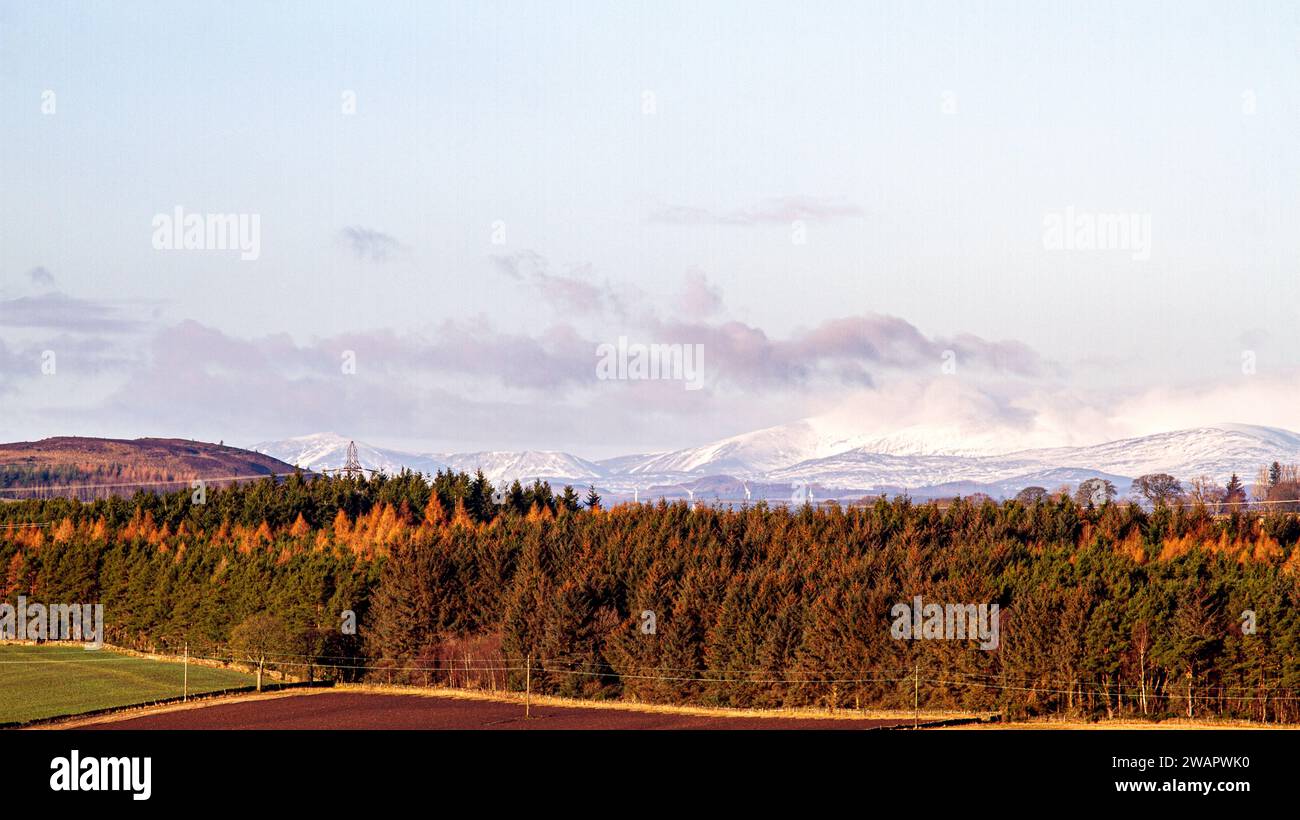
x: 850, y: 207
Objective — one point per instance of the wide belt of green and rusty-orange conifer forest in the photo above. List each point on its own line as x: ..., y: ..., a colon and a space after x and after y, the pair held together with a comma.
x: 1106, y: 611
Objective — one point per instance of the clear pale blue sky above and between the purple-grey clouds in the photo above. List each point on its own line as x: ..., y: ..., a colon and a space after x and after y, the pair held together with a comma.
x: 532, y: 115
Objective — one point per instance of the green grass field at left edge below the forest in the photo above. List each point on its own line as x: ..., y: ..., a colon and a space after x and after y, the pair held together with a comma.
x: 51, y: 682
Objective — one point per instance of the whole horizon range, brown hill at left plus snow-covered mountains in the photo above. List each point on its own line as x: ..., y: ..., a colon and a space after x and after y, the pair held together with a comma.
x: 779, y: 463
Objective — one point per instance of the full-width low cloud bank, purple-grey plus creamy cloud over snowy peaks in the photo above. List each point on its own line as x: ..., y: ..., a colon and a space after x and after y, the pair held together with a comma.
x: 476, y: 384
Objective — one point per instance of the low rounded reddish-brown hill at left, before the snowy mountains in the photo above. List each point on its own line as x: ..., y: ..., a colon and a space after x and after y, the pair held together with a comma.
x: 88, y: 468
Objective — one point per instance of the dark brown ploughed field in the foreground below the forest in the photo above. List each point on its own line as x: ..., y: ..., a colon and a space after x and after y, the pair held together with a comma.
x: 397, y: 711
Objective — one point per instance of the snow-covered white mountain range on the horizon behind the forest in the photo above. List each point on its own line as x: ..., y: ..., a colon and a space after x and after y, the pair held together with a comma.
x: 925, y: 463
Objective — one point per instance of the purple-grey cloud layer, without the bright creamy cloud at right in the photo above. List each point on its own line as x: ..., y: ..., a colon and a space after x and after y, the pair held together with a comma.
x: 470, y: 381
